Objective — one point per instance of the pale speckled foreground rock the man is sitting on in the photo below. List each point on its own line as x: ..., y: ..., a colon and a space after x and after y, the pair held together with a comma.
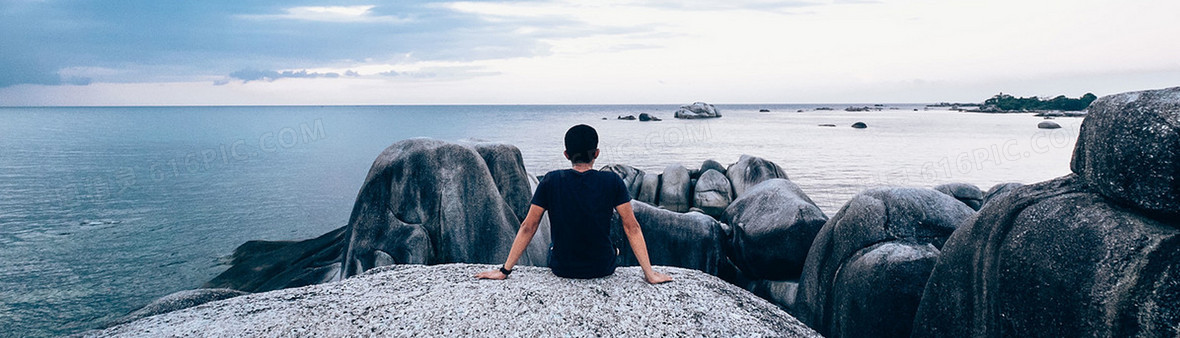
x: 444, y: 301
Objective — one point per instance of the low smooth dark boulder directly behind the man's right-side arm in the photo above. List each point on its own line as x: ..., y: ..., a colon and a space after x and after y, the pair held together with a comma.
x: 689, y: 240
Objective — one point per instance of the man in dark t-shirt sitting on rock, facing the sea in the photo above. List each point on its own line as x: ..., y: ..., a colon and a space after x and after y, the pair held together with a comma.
x: 580, y: 203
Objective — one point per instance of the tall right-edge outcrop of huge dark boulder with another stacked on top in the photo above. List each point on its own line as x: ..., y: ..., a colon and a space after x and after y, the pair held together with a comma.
x: 1091, y: 255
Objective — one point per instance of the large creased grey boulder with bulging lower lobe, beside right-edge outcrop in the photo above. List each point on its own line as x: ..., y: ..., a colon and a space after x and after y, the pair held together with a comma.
x: 870, y: 262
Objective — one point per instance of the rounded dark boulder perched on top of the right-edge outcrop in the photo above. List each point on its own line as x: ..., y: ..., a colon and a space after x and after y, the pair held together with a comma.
x: 1129, y: 151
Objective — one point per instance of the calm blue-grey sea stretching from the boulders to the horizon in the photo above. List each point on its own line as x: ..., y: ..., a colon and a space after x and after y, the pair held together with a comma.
x: 104, y: 210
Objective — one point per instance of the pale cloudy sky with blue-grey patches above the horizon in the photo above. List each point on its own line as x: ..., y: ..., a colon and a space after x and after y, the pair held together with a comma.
x: 148, y: 53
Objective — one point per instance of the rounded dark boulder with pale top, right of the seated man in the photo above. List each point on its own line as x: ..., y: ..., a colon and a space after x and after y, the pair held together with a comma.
x: 773, y: 227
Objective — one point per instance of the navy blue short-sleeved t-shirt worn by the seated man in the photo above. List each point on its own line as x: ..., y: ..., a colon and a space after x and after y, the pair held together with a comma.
x: 580, y: 207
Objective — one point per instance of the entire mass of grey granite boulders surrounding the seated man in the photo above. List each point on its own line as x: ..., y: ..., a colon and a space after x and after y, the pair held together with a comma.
x: 1093, y: 253
